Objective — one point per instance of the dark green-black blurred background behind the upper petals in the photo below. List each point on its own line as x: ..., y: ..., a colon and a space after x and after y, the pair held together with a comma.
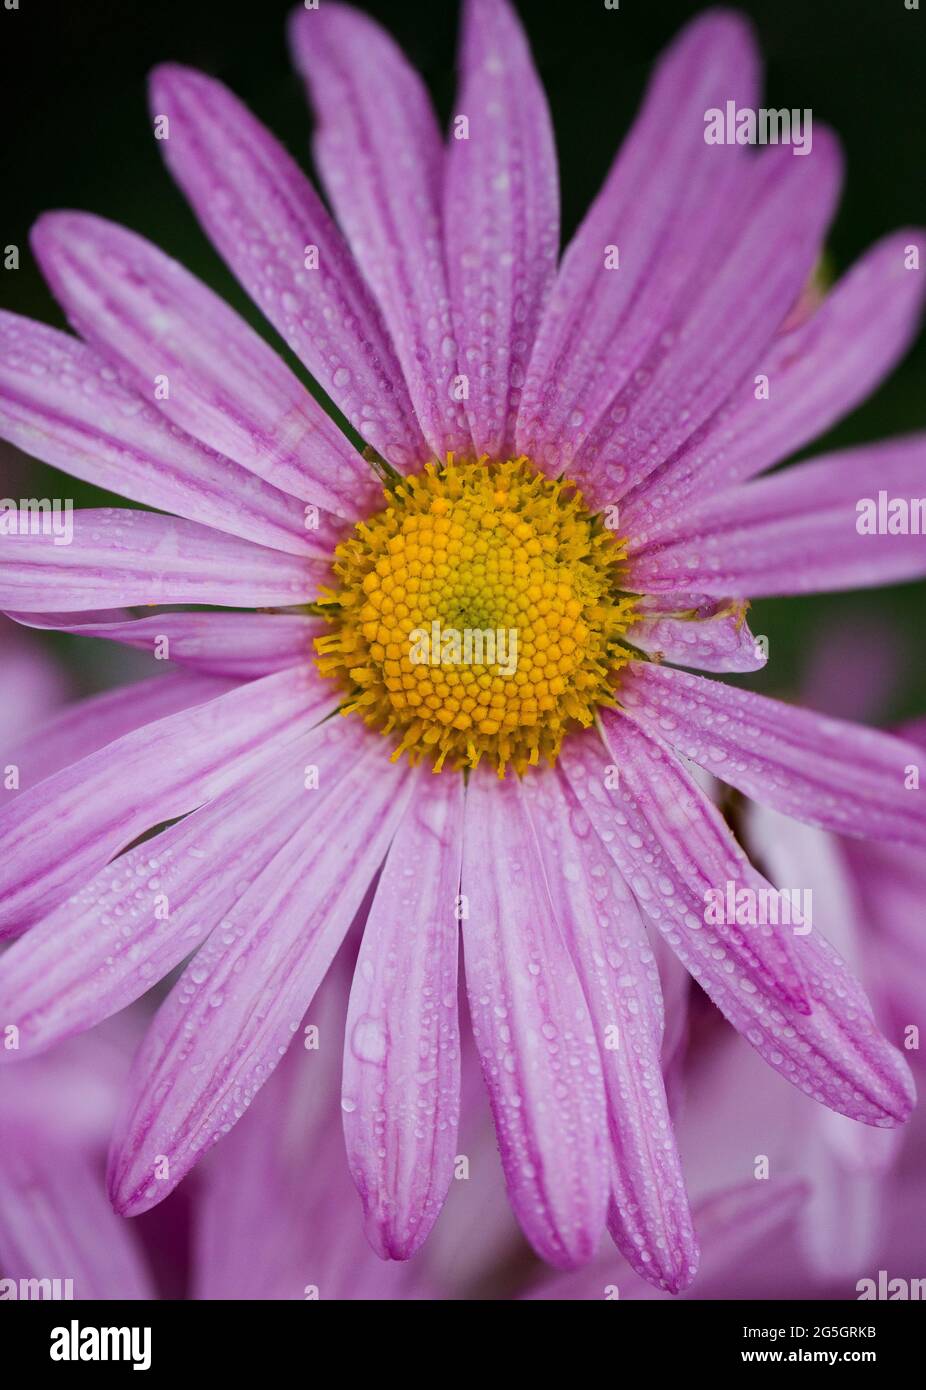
x: 76, y: 134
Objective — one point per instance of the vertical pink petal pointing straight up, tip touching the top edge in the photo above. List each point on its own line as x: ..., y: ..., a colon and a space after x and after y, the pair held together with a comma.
x: 501, y: 215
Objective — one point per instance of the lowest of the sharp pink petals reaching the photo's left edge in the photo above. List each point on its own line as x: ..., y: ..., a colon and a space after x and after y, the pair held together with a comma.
x: 151, y: 908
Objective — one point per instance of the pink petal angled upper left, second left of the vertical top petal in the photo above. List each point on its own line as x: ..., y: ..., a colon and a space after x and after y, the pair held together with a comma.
x: 266, y: 219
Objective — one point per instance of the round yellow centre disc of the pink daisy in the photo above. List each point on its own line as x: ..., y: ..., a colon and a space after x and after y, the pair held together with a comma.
x: 478, y: 615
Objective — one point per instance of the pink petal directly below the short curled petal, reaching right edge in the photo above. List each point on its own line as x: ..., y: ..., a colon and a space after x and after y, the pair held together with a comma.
x: 827, y: 772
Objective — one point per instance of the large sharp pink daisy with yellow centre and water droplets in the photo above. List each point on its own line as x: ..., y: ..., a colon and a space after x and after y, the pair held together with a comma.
x: 565, y: 451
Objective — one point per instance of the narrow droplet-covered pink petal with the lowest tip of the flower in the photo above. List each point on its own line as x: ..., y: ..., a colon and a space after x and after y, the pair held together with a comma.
x: 610, y: 946
